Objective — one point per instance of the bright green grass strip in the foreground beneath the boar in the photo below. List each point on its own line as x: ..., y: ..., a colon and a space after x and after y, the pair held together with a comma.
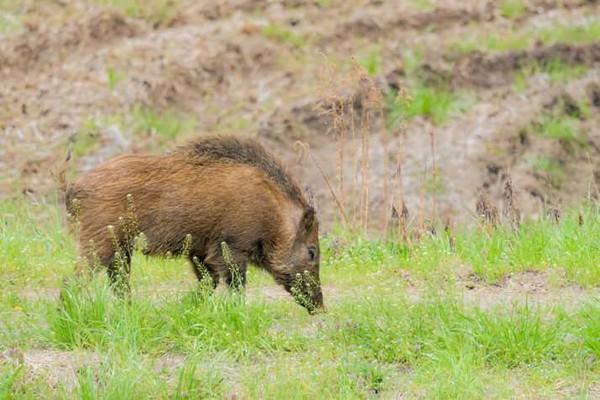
x: 382, y: 335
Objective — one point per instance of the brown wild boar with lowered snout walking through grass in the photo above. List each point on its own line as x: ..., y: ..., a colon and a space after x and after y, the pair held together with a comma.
x: 213, y: 191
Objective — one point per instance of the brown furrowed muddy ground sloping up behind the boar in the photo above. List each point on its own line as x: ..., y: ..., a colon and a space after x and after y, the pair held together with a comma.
x: 73, y: 71
